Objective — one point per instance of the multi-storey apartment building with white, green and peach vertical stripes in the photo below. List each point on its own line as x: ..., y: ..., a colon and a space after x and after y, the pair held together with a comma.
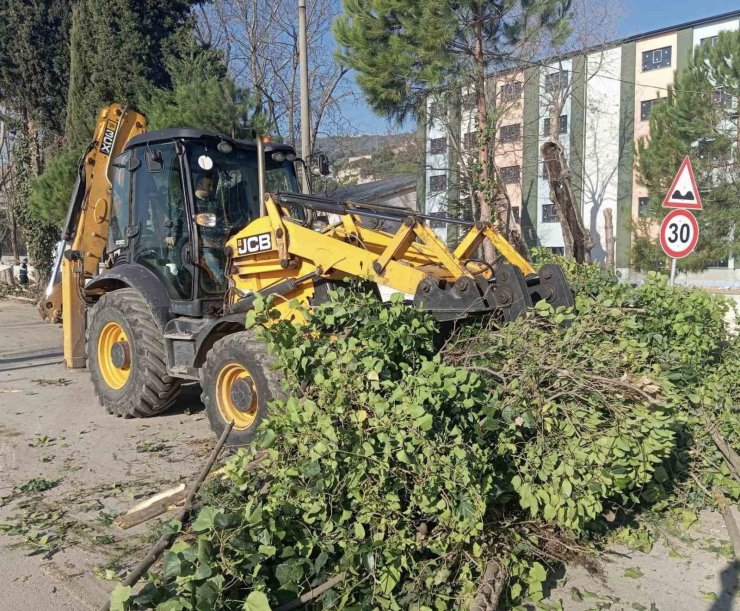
x: 600, y: 101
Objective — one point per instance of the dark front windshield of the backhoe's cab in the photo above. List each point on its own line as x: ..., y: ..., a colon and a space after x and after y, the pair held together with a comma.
x: 225, y: 184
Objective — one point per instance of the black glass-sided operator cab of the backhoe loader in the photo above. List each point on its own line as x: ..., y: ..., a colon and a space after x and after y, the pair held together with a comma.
x: 178, y: 195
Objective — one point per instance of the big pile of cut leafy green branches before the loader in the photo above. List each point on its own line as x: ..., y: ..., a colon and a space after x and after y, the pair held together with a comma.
x: 398, y: 476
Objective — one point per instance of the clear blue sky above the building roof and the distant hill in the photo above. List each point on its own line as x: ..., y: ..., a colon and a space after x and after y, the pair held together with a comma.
x: 638, y: 16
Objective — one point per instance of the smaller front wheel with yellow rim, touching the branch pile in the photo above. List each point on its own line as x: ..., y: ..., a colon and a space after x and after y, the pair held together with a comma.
x: 238, y: 383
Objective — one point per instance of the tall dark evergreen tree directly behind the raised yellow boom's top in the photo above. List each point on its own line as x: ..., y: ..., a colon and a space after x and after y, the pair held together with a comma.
x: 117, y: 50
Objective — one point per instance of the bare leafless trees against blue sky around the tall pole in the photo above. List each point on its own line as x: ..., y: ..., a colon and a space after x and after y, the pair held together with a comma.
x: 259, y: 39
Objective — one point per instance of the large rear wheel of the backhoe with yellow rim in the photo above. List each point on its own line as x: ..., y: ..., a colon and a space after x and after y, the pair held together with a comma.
x: 139, y: 386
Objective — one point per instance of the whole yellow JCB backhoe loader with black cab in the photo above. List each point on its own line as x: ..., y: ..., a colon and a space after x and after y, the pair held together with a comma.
x: 195, y: 225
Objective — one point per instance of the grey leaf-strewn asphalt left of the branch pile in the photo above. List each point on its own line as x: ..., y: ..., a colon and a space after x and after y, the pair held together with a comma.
x: 52, y: 428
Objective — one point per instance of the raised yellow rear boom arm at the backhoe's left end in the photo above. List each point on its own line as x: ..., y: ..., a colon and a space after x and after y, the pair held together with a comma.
x: 86, y: 228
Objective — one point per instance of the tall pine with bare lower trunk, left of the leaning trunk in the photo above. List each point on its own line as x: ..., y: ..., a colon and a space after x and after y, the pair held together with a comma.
x: 405, y: 51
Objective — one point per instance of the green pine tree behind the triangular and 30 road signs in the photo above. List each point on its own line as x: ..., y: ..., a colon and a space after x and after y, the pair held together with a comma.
x: 699, y: 117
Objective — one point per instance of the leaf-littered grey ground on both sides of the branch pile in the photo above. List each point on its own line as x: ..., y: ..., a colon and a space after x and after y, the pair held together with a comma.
x: 67, y: 468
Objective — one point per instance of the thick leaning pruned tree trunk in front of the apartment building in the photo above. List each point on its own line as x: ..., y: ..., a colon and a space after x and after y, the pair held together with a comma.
x: 577, y: 240
